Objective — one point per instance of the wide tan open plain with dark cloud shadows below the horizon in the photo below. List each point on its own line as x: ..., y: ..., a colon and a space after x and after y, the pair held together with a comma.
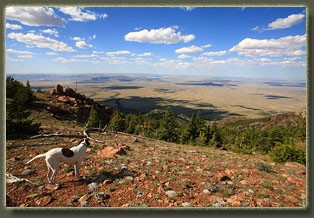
x: 215, y: 98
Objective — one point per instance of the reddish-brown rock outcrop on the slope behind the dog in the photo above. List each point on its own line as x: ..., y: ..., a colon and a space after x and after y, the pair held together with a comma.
x: 69, y: 104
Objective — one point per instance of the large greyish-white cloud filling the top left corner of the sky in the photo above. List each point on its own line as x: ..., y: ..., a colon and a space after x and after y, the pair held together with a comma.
x: 34, y: 16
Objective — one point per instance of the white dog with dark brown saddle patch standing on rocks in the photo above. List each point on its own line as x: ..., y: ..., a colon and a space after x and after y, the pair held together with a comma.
x: 73, y: 156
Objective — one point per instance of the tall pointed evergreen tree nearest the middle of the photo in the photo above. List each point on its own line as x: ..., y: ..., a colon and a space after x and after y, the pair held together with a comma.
x: 168, y: 128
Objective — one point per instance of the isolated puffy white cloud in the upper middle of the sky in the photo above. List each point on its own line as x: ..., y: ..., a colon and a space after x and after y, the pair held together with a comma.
x: 158, y: 36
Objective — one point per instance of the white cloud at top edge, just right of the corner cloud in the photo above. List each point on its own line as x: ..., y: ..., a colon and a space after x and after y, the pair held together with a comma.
x: 80, y: 14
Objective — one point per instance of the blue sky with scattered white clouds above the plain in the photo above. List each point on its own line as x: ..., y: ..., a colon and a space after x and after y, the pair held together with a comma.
x: 264, y: 42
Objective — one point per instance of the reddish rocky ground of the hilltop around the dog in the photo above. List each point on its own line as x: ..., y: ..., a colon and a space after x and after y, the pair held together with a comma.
x: 139, y: 172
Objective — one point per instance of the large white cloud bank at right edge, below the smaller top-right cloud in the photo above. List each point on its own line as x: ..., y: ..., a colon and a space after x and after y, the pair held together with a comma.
x: 285, y: 46
